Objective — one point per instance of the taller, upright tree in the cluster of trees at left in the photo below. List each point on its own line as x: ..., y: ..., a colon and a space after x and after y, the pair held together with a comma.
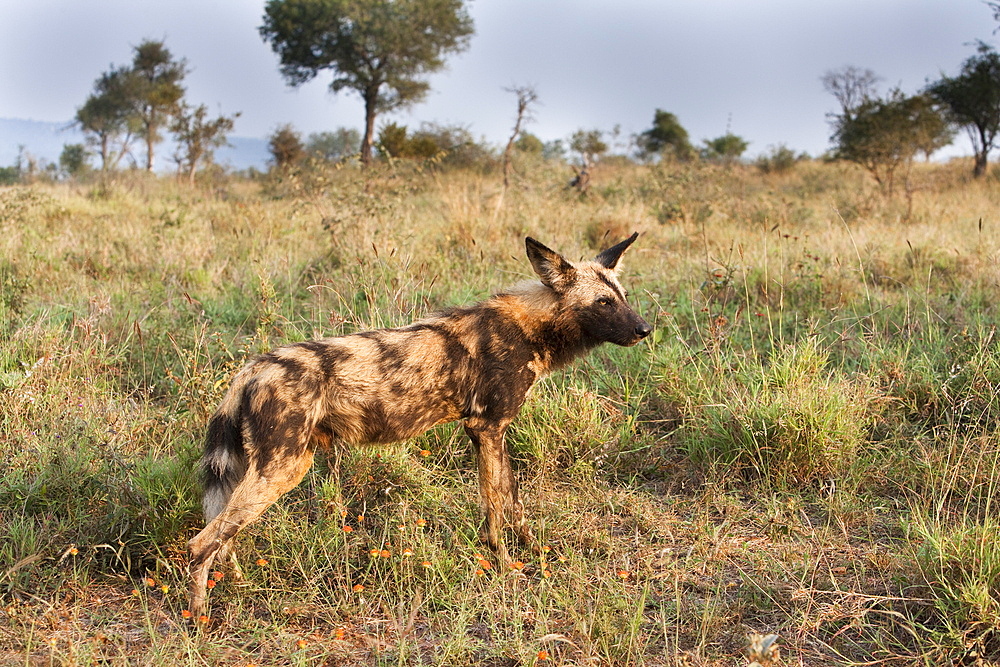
x: 154, y: 86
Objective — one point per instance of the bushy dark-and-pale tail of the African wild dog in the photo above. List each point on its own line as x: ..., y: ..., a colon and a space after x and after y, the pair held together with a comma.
x: 225, y: 461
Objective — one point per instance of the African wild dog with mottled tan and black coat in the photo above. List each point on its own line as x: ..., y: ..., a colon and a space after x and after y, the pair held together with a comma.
x: 475, y: 364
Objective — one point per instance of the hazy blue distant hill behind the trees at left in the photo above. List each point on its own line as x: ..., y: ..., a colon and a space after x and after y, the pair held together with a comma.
x: 45, y: 141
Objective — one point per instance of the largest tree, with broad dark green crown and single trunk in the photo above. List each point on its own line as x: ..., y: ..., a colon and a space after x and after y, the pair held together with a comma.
x: 380, y: 49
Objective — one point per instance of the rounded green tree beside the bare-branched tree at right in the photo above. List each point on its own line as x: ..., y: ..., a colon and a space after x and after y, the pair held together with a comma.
x: 883, y: 135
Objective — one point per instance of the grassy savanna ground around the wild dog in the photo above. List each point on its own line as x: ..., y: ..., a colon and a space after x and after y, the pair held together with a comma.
x: 807, y: 446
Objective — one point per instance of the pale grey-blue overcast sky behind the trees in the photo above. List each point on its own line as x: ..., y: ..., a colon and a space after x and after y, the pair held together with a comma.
x: 750, y: 66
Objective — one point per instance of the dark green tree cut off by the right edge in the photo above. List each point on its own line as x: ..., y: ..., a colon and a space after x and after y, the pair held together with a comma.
x: 973, y: 101
